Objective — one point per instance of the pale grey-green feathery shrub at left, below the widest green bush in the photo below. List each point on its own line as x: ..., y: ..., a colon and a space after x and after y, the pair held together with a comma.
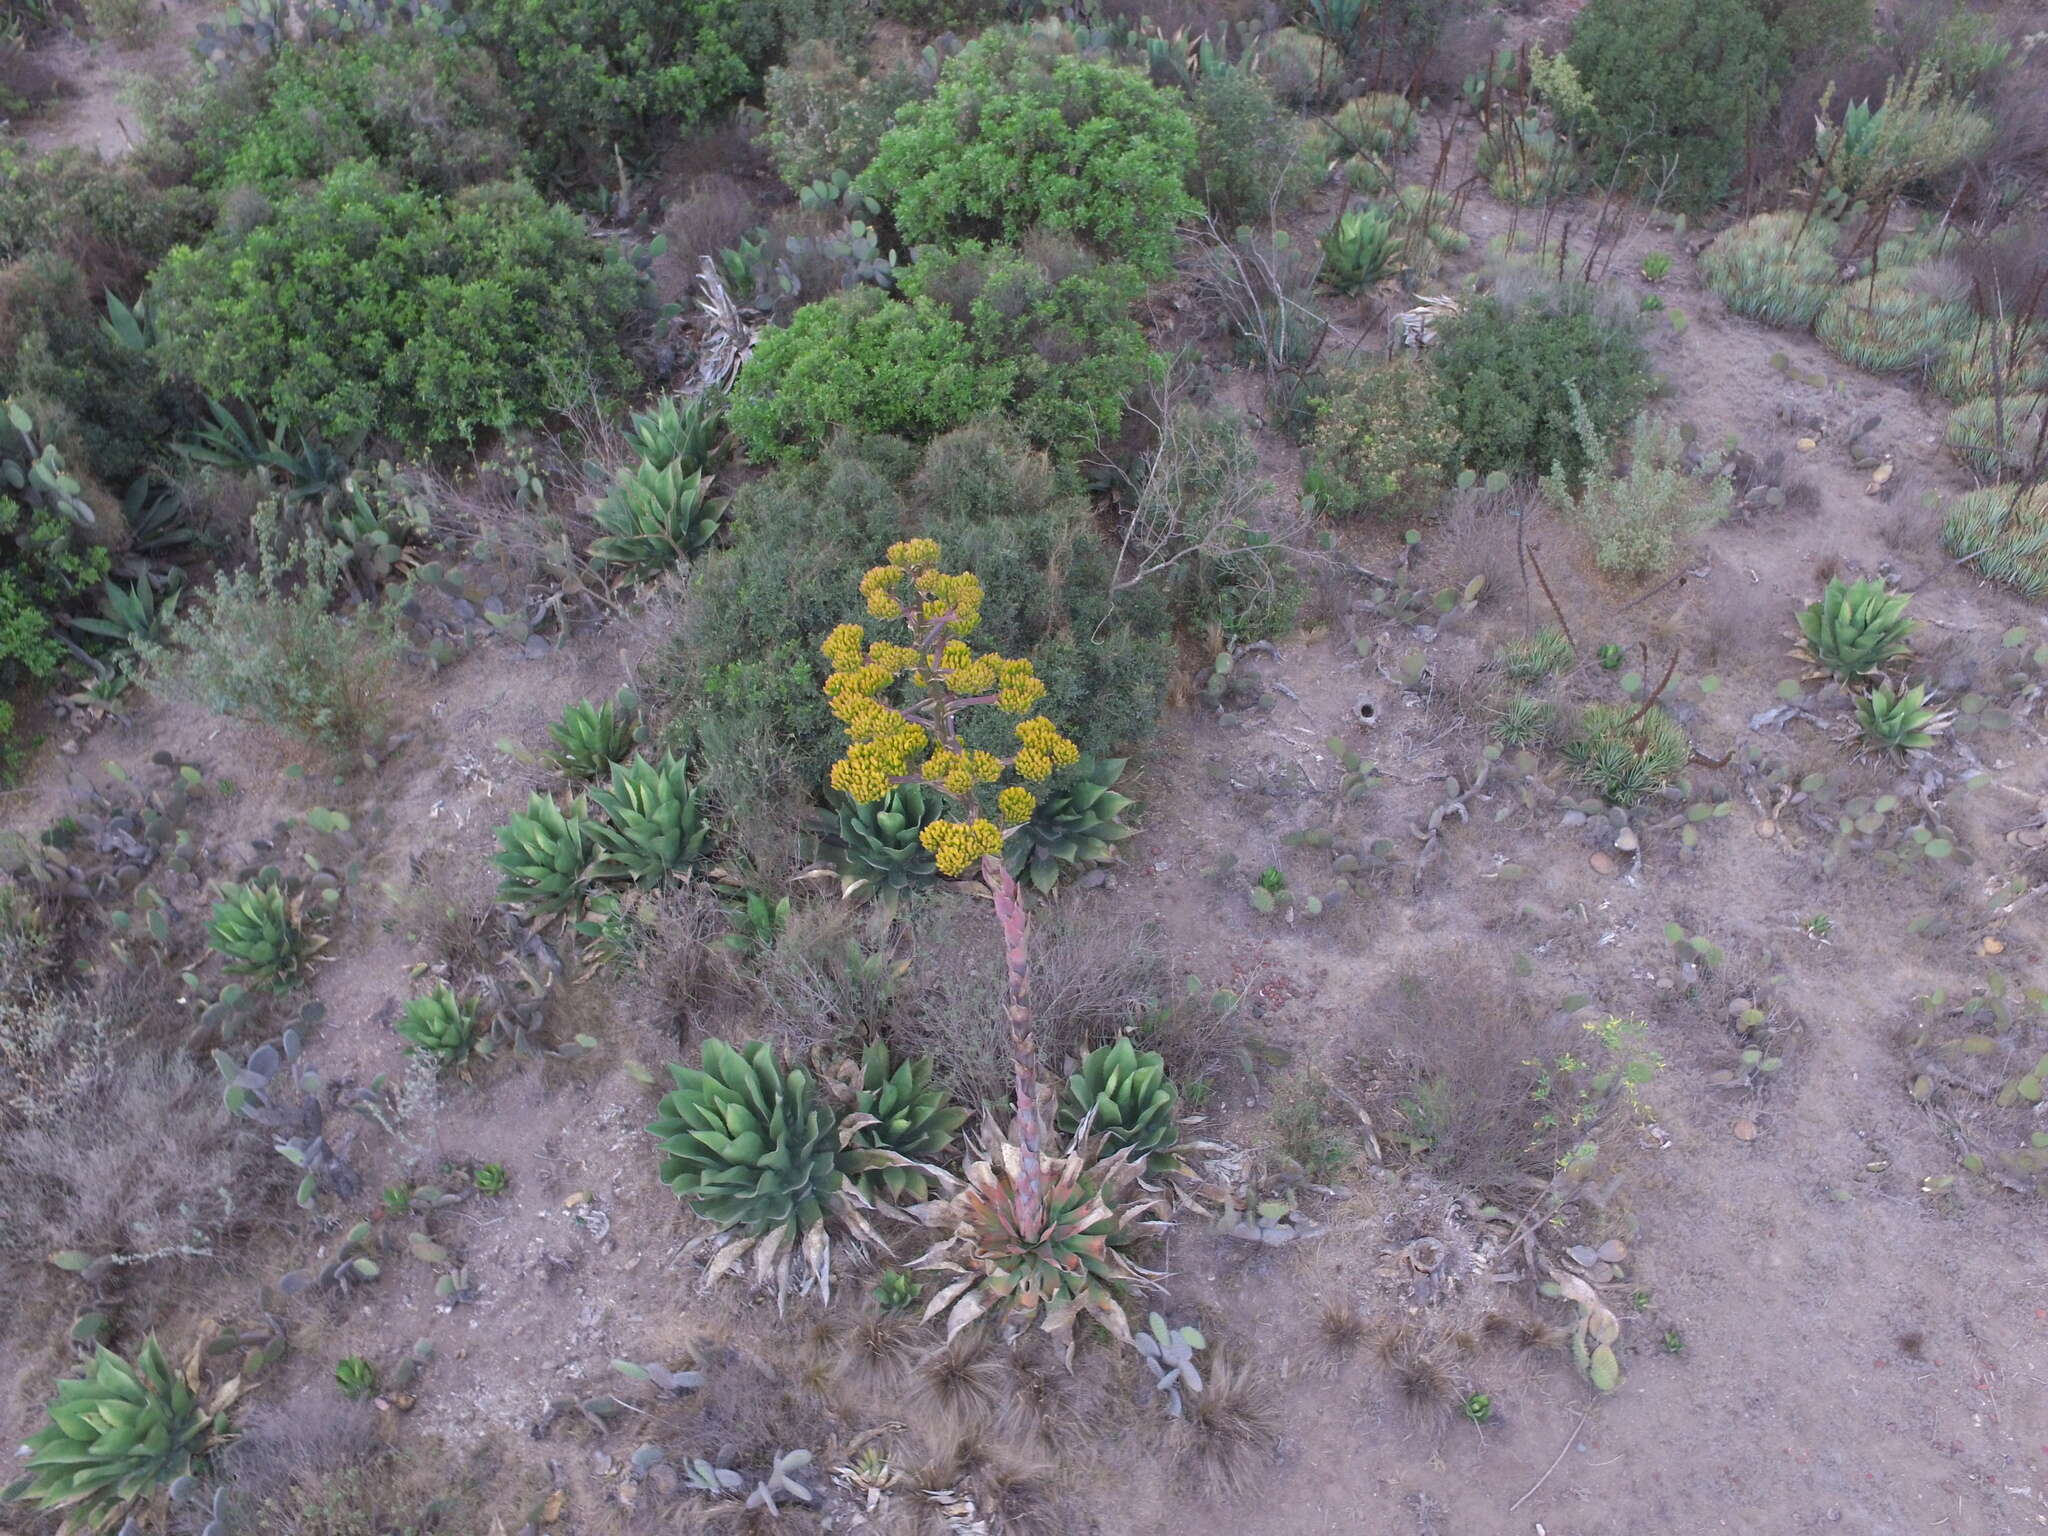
x: 263, y: 646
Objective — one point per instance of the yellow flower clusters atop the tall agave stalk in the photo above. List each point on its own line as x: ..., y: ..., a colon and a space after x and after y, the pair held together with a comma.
x: 884, y: 746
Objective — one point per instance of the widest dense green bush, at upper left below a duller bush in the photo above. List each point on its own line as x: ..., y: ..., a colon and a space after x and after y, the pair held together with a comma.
x: 372, y: 310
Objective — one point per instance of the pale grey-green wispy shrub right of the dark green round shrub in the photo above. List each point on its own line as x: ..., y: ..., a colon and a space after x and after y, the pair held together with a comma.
x: 1639, y: 519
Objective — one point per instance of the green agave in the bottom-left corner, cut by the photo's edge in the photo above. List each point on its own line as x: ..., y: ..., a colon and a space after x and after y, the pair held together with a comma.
x: 116, y: 1437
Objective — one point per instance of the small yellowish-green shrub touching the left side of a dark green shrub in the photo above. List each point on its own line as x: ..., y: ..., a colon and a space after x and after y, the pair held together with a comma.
x: 1385, y: 441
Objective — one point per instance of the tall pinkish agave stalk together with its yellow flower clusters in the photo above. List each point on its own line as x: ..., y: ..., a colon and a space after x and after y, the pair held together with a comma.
x: 919, y: 742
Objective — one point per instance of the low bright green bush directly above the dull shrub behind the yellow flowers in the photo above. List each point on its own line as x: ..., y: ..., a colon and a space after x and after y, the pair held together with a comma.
x: 865, y: 364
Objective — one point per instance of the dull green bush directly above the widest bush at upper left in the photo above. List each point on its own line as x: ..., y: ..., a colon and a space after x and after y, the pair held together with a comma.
x: 427, y: 108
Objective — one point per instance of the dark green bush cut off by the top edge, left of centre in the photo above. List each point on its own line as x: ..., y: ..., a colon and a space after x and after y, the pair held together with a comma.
x: 589, y: 77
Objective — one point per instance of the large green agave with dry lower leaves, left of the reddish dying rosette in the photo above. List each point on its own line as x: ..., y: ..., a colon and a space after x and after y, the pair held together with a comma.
x: 755, y: 1150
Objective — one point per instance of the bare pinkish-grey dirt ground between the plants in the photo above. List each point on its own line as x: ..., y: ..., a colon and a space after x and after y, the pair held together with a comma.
x: 1865, y: 1336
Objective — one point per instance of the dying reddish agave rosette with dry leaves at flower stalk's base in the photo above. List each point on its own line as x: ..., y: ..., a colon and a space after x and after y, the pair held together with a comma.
x: 1074, y: 1265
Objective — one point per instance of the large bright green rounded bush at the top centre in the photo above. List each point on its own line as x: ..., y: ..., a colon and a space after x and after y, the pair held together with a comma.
x: 1025, y: 136
